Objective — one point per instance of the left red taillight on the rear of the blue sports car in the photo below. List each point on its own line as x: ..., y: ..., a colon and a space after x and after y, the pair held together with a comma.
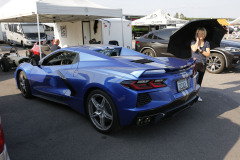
x: 144, y: 84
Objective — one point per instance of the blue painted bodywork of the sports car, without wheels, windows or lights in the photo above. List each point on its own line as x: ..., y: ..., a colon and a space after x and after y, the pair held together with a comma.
x: 96, y: 70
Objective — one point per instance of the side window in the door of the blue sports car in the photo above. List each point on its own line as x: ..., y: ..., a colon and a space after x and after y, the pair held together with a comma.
x: 61, y: 58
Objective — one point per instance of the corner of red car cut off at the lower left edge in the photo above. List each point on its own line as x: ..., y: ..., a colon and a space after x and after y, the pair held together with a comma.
x: 3, y: 149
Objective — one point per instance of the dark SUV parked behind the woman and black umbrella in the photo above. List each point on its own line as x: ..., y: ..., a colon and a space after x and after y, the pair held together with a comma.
x: 155, y: 44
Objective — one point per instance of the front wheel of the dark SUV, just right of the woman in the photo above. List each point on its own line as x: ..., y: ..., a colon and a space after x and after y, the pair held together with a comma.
x: 215, y: 63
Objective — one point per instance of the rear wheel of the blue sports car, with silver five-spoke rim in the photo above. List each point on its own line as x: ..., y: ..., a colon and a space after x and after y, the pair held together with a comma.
x: 102, y: 111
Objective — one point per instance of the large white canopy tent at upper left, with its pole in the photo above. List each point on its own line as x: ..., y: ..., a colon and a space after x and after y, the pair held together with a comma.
x: 51, y: 11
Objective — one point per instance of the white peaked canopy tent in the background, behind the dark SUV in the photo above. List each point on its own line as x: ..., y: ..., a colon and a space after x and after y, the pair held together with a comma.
x: 158, y: 18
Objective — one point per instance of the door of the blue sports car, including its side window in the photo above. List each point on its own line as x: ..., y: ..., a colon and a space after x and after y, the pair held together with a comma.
x: 50, y: 78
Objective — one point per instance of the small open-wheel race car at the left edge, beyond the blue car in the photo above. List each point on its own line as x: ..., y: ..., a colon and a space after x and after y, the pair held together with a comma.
x: 11, y: 60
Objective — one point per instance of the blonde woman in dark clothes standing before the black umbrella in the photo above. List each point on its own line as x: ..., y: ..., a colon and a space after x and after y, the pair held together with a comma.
x: 200, y: 51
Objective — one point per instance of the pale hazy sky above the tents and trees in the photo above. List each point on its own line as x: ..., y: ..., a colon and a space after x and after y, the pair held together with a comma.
x: 189, y: 8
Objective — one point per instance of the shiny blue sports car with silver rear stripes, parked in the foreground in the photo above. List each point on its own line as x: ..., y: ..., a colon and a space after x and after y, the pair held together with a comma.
x: 111, y: 85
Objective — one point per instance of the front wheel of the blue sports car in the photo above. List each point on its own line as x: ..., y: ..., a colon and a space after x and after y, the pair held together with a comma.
x: 24, y: 85
